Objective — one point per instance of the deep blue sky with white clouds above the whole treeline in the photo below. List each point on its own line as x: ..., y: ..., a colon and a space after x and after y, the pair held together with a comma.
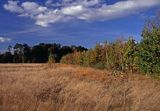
x: 72, y: 22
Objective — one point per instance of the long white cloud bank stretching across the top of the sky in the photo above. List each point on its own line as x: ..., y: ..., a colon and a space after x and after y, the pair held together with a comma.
x: 87, y: 10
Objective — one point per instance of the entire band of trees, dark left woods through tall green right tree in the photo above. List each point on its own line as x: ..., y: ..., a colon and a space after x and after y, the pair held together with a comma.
x: 120, y: 55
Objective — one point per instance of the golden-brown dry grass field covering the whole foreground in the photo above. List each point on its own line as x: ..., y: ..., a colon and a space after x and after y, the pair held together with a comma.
x: 34, y: 87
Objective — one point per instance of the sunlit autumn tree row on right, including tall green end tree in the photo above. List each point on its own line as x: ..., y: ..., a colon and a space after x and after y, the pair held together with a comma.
x: 124, y: 55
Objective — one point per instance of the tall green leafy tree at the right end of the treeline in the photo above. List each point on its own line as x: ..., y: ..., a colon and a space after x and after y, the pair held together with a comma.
x: 149, y: 47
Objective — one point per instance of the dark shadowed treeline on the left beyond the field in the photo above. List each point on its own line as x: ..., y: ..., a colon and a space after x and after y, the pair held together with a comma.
x: 23, y: 53
